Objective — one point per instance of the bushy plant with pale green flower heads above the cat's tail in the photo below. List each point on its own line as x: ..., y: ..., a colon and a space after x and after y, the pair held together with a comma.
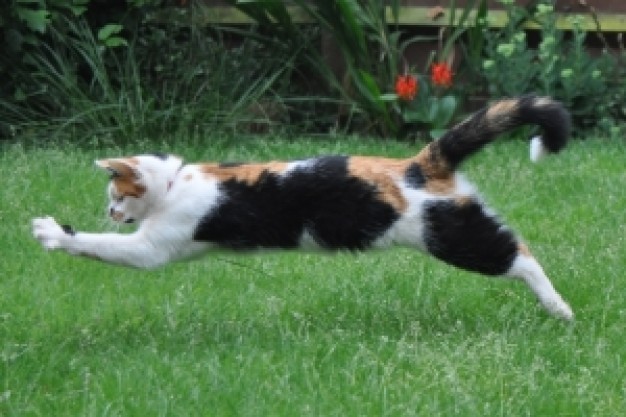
x: 558, y: 66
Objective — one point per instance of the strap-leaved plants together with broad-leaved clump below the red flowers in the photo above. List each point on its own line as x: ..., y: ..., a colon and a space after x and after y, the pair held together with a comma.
x: 372, y: 47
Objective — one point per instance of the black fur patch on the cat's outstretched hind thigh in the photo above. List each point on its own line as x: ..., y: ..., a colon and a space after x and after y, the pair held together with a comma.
x: 465, y: 236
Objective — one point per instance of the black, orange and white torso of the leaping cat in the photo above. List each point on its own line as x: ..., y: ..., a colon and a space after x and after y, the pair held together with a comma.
x: 336, y: 202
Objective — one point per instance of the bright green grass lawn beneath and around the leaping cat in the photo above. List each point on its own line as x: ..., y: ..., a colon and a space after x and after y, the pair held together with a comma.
x: 285, y: 334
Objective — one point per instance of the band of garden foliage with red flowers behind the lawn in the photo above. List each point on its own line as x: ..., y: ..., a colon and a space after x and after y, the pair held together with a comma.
x: 143, y: 67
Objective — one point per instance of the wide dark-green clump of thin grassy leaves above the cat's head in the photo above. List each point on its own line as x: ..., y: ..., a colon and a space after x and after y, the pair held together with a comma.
x: 83, y: 77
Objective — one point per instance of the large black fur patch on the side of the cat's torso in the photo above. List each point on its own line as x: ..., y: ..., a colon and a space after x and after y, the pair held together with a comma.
x: 339, y: 211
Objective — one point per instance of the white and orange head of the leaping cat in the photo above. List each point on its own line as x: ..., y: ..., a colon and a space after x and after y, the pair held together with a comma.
x: 138, y: 184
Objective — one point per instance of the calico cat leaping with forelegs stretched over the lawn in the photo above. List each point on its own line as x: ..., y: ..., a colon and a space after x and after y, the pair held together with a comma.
x: 329, y: 202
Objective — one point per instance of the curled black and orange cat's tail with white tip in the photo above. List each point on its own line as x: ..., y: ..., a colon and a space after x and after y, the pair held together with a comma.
x: 469, y: 136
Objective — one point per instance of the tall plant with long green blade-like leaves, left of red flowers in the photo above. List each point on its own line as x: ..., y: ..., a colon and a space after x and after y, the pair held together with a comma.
x: 350, y: 26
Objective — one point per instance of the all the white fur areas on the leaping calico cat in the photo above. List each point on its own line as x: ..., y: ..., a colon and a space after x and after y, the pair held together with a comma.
x: 178, y: 197
